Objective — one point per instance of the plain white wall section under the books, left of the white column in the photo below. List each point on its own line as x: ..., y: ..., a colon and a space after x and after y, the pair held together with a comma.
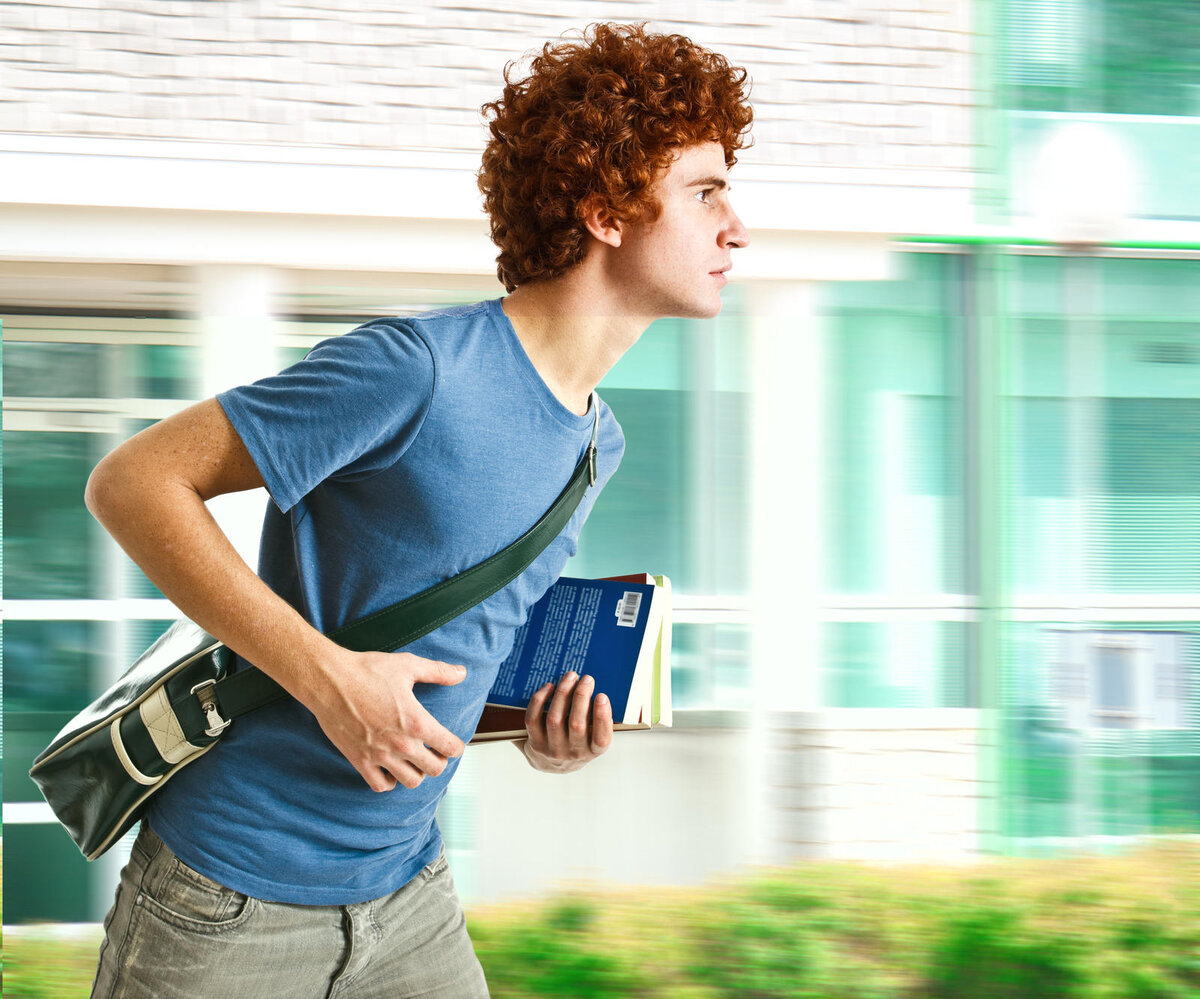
x: 668, y: 806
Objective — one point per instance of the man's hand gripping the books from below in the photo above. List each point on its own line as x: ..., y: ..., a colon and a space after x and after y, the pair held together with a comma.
x: 561, y: 740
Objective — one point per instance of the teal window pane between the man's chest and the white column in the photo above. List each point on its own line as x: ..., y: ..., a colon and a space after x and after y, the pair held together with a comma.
x: 681, y: 501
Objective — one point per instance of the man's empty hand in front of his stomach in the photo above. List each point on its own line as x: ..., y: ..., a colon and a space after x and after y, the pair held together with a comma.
x: 374, y: 719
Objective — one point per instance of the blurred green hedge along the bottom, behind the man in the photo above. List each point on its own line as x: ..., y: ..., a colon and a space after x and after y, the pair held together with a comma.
x: 1087, y: 928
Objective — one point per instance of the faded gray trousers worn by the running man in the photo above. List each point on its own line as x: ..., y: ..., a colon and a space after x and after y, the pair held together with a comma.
x: 173, y: 934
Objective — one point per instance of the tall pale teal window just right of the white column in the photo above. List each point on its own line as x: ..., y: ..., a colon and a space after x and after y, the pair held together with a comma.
x: 898, y: 603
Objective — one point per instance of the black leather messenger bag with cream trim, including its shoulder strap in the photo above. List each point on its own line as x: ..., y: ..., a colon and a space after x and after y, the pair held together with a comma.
x: 177, y: 701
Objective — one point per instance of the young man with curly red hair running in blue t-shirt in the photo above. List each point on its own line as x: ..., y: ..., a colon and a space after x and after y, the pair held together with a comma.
x: 302, y: 857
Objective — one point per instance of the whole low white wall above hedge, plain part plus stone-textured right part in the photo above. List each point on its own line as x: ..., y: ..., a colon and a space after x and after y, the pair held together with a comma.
x: 675, y: 806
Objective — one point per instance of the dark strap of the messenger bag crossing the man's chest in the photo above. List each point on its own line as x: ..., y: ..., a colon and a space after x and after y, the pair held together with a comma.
x: 404, y: 623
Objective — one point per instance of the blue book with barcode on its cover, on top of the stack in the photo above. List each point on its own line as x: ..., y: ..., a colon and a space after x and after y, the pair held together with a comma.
x: 592, y: 626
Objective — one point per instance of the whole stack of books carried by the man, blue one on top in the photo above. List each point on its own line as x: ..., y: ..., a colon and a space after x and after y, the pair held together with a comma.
x: 616, y: 630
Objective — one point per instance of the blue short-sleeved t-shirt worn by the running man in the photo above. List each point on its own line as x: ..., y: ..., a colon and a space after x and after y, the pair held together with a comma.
x: 397, y: 457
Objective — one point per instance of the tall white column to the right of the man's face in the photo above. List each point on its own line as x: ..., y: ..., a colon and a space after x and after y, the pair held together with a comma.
x: 787, y: 549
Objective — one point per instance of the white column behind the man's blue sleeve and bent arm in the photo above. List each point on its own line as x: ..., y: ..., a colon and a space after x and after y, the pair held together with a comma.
x: 236, y: 310
